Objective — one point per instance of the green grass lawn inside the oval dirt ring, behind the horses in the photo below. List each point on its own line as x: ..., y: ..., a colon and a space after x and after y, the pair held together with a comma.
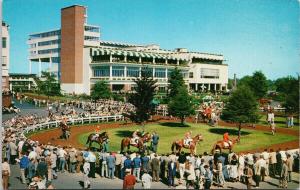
x: 170, y: 132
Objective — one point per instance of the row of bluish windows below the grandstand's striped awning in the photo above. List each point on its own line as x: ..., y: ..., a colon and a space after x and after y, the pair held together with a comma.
x: 119, y: 71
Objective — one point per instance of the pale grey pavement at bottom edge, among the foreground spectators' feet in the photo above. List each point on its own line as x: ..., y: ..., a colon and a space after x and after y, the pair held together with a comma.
x: 74, y: 181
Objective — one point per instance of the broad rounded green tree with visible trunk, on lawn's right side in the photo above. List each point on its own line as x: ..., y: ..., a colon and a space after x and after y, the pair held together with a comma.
x: 241, y: 107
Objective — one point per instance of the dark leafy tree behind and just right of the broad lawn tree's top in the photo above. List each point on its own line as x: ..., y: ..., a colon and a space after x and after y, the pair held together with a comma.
x: 259, y: 84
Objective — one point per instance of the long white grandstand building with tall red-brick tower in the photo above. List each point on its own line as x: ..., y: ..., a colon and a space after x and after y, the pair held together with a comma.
x: 78, y: 57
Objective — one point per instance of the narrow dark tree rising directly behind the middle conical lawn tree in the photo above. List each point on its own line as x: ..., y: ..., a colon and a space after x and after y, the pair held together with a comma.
x: 176, y: 81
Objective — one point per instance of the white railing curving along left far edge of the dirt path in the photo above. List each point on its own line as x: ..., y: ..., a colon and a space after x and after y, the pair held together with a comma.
x: 72, y: 121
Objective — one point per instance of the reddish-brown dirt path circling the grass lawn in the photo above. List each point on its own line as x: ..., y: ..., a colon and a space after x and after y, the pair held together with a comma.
x: 52, y: 135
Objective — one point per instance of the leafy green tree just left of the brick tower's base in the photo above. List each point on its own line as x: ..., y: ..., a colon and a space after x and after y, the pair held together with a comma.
x: 48, y: 85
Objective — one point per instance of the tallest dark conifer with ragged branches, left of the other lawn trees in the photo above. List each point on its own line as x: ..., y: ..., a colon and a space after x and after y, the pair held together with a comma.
x: 142, y: 97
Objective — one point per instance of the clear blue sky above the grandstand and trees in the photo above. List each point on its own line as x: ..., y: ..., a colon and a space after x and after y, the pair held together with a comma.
x: 251, y: 34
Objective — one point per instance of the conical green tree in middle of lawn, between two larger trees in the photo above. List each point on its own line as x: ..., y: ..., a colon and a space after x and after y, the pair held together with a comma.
x: 181, y: 104
